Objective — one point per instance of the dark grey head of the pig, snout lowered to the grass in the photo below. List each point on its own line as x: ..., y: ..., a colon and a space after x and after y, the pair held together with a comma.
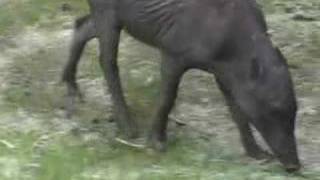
x: 276, y: 103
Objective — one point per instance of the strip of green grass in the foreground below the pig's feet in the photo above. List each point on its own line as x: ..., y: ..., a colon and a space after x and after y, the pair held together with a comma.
x: 68, y: 157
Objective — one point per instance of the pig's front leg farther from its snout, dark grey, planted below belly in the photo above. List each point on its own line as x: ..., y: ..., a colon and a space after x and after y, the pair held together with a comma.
x: 171, y: 73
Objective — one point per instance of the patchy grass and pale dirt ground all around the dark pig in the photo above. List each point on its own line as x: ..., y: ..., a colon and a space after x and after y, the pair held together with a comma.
x: 37, y: 142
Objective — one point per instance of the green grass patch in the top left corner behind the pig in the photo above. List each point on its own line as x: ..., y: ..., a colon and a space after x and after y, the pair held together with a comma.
x: 15, y: 15
